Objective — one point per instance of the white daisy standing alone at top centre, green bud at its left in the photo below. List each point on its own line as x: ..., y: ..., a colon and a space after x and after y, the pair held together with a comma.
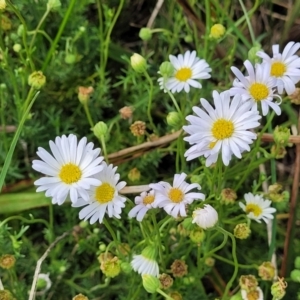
x: 187, y: 70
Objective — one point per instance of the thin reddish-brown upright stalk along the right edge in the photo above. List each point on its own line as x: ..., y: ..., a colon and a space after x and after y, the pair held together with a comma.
x: 293, y: 203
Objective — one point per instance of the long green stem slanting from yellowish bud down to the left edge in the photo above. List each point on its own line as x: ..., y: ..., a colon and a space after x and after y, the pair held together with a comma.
x: 14, y: 142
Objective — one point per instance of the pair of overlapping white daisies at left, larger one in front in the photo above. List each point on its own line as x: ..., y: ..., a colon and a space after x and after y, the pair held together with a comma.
x: 76, y: 171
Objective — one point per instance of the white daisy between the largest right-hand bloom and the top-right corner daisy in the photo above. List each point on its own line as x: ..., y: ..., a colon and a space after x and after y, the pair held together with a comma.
x: 258, y: 87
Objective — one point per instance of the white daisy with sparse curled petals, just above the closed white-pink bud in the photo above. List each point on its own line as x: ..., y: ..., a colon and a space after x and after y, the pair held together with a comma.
x: 174, y: 198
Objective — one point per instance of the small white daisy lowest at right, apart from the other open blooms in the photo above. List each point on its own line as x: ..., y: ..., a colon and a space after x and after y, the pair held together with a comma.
x: 257, y: 208
